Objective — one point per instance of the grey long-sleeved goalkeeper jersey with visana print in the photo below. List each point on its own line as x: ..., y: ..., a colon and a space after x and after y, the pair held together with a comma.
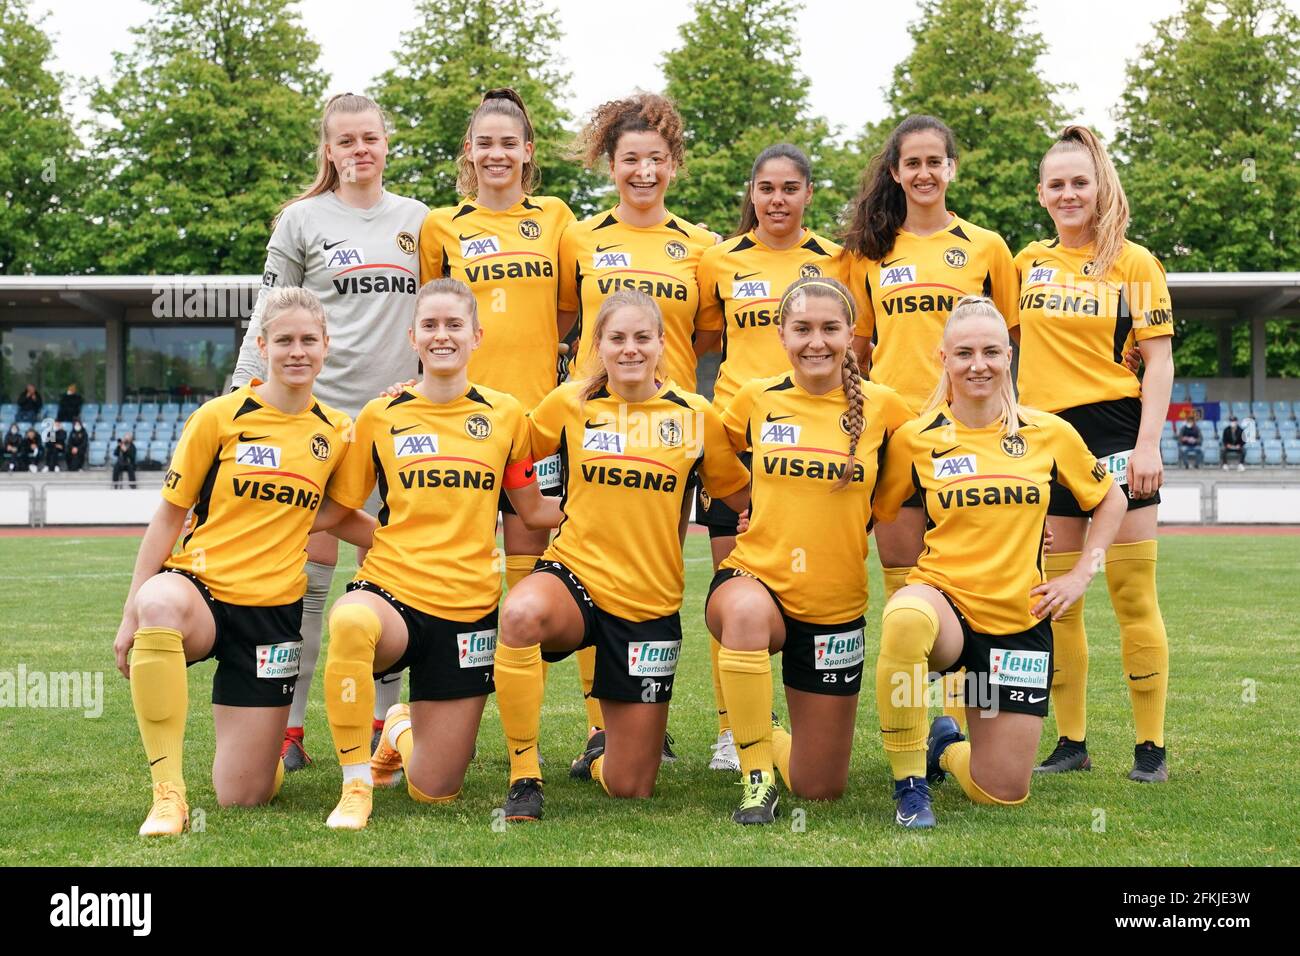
x: 365, y: 267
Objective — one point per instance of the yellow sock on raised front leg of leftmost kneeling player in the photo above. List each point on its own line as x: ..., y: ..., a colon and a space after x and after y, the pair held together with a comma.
x: 162, y: 698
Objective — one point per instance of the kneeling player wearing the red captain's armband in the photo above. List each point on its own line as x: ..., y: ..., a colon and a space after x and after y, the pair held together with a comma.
x: 426, y: 596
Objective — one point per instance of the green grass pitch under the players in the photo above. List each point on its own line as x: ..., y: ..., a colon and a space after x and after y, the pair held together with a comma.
x: 73, y: 790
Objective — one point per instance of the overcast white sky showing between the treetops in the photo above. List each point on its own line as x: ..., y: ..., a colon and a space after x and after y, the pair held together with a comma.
x: 617, y: 47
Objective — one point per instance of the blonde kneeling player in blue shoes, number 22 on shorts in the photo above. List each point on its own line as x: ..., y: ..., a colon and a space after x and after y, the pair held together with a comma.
x: 977, y: 598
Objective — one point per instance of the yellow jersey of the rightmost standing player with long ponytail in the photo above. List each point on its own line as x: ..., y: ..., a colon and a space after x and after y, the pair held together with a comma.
x: 1076, y: 331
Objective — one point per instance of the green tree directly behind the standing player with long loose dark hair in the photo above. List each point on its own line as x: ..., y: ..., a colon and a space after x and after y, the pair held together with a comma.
x: 974, y: 66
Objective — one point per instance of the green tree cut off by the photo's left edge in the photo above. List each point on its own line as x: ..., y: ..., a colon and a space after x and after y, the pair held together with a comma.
x: 40, y: 170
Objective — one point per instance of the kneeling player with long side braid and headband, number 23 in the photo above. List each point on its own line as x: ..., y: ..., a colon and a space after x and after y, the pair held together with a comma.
x: 796, y: 582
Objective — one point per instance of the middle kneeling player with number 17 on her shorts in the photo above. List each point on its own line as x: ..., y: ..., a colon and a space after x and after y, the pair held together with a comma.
x: 613, y: 578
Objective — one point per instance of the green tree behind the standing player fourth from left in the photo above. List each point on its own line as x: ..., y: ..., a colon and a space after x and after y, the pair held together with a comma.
x: 738, y: 94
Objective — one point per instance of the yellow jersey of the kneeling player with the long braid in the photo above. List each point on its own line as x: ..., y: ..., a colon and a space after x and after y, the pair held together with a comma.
x: 808, y: 542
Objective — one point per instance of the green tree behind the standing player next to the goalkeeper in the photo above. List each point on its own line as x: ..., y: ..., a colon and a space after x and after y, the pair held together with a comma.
x: 460, y: 50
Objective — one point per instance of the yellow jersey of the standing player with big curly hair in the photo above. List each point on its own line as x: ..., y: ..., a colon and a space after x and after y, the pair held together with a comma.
x: 601, y: 256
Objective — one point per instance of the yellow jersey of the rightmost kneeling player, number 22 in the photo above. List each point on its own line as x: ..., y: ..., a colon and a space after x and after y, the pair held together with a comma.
x: 986, y: 500
